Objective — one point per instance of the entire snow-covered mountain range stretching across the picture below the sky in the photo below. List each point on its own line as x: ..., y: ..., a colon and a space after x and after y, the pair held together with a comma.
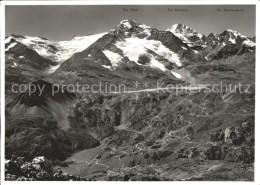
x: 132, y: 49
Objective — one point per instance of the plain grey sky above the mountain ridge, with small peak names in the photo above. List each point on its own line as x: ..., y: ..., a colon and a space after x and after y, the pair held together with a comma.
x: 63, y: 22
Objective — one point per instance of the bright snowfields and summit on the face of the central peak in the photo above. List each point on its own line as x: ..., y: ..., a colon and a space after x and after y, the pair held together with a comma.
x: 135, y: 43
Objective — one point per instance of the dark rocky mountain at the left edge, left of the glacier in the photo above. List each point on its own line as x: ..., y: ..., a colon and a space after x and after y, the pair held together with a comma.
x: 22, y: 64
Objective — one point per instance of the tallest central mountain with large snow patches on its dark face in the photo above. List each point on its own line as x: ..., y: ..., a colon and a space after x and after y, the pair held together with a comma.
x: 137, y: 49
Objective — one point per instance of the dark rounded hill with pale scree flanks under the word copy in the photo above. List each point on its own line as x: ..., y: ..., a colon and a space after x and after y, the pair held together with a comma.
x: 48, y: 100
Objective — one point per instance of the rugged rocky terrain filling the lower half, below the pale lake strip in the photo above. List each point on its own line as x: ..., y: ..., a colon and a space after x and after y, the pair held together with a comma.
x: 194, y: 136
